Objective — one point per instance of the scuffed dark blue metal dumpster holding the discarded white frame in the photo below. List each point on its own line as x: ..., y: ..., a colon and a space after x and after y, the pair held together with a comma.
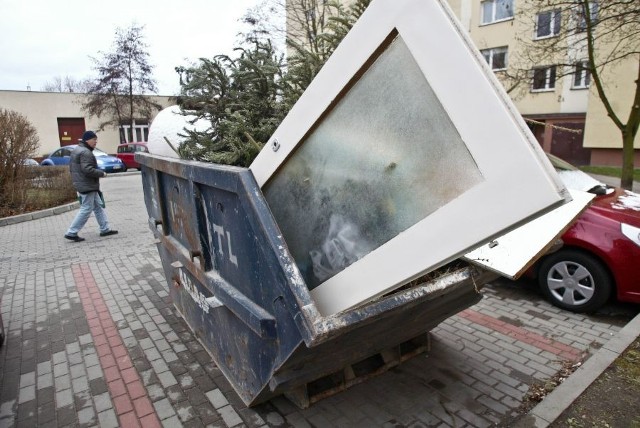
x: 233, y: 280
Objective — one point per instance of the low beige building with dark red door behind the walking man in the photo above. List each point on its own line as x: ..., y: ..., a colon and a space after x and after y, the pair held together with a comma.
x: 59, y: 119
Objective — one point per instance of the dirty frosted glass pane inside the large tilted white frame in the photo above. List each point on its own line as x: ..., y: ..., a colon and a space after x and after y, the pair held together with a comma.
x: 385, y: 157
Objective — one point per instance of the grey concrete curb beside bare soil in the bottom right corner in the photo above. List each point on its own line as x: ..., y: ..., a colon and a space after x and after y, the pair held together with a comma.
x: 566, y: 393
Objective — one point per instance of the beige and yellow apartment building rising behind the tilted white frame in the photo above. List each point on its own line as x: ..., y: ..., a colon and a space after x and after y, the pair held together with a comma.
x: 560, y: 104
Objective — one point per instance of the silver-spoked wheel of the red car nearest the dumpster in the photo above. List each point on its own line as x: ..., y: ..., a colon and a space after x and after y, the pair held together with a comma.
x: 575, y: 281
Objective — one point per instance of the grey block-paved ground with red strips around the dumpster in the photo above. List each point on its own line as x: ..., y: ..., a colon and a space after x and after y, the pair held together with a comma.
x: 93, y: 340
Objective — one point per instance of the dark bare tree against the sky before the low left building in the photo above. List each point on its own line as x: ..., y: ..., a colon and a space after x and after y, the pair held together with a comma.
x: 119, y: 93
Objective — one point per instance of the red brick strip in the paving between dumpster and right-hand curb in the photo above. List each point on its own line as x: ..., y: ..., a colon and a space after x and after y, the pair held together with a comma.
x: 534, y: 339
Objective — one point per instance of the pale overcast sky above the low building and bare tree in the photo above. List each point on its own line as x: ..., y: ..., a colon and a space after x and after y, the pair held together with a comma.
x: 44, y: 39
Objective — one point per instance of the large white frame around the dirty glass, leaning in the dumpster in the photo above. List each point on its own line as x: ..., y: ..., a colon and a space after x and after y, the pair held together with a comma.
x: 488, y: 123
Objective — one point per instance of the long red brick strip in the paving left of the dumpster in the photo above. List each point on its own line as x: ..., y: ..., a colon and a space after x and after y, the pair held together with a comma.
x: 130, y: 399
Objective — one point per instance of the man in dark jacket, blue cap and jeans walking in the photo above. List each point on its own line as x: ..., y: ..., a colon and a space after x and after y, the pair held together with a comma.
x: 85, y: 176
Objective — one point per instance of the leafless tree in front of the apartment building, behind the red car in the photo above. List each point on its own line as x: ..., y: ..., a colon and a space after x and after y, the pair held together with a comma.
x: 590, y: 40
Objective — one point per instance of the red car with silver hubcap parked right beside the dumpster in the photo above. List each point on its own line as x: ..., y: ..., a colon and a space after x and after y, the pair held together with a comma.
x: 601, y: 253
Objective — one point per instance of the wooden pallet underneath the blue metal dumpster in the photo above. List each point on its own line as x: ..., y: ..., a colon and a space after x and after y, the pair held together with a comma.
x: 355, y: 373
